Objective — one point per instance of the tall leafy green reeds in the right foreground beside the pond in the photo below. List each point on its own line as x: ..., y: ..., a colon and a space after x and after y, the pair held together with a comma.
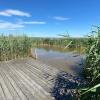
x: 92, y: 68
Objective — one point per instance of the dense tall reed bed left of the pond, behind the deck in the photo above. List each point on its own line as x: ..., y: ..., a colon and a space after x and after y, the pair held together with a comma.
x: 14, y: 47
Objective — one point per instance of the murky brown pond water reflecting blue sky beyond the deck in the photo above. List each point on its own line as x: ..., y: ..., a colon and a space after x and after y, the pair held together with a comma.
x: 66, y: 60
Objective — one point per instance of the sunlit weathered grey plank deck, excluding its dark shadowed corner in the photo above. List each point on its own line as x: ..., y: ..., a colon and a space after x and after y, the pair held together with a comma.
x: 26, y: 79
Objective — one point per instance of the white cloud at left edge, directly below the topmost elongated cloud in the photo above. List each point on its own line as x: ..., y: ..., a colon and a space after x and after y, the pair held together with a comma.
x: 8, y: 25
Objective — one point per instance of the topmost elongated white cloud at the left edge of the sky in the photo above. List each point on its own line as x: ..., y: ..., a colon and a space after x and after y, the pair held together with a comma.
x: 11, y: 12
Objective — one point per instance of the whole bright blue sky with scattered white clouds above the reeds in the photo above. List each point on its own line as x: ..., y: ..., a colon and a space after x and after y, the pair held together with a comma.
x: 48, y: 18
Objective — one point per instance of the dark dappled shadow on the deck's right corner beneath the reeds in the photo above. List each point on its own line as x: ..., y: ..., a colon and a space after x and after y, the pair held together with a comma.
x: 66, y: 85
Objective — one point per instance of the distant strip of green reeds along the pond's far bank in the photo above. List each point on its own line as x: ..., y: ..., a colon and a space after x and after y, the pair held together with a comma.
x: 61, y: 42
